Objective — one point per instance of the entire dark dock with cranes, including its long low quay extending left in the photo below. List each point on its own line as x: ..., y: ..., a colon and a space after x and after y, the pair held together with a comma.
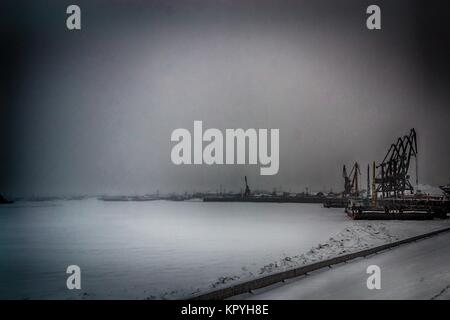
x: 389, y: 194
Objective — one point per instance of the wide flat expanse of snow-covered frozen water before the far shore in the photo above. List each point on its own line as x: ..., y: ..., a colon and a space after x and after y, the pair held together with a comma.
x: 155, y: 249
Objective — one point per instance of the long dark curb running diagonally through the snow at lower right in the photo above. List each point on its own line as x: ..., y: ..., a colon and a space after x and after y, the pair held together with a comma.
x: 265, y: 281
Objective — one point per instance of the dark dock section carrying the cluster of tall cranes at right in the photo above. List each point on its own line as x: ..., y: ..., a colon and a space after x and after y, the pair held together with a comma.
x: 390, y: 194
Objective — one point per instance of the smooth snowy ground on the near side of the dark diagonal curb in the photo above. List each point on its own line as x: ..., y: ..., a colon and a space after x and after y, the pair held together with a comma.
x: 417, y: 270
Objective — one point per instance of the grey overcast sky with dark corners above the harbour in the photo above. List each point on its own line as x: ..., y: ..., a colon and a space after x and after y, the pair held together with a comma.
x: 92, y: 111
